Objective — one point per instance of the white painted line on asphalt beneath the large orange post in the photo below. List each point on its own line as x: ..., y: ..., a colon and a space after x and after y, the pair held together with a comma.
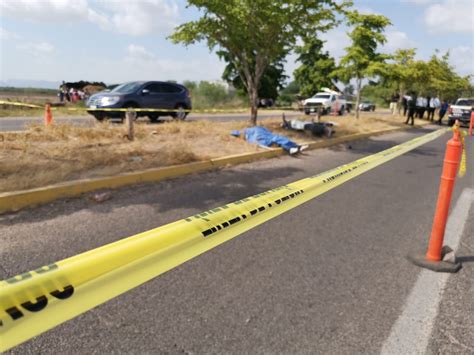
x: 411, y: 332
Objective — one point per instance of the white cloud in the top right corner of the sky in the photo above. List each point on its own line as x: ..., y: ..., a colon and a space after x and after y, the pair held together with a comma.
x: 450, y: 16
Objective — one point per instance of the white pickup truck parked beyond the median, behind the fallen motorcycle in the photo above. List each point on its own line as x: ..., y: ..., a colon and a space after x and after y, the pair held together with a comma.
x: 326, y: 101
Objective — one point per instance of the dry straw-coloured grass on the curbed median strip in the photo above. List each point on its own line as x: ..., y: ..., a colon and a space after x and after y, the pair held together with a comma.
x: 62, y: 152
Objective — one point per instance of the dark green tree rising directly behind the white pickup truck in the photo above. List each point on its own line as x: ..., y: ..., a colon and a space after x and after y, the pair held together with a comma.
x: 316, y: 66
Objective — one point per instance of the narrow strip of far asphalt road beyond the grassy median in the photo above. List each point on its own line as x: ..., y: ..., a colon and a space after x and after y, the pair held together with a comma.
x: 21, y: 123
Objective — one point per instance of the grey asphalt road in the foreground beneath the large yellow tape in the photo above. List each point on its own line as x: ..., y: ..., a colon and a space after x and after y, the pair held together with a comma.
x: 327, y: 277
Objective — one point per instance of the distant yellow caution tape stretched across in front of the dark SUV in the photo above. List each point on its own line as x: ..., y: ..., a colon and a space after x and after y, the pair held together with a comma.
x: 161, y: 110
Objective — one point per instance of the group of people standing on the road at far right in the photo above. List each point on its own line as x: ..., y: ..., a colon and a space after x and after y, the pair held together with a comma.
x: 417, y: 106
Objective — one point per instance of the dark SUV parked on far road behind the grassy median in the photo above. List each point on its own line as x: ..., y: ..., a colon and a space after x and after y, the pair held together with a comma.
x: 142, y: 94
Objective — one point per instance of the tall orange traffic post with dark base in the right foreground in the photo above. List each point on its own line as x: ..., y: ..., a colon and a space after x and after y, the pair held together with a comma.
x: 433, y: 259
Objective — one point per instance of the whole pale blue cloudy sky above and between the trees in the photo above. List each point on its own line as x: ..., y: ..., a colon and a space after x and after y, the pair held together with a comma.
x: 124, y: 40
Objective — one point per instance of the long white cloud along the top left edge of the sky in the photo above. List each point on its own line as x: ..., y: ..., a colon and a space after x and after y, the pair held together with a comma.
x: 139, y: 17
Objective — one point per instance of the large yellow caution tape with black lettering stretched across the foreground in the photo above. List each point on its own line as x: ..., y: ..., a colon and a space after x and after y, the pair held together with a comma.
x: 36, y: 301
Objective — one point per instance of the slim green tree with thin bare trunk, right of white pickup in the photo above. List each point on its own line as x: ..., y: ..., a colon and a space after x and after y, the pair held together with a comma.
x: 362, y: 59
